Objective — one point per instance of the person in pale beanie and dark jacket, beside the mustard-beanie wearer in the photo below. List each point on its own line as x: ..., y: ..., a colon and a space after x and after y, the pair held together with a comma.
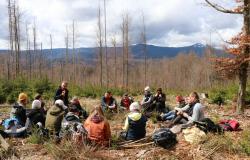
x: 36, y: 115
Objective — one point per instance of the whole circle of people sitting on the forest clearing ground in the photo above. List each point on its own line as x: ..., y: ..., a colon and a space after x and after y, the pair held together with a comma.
x: 64, y: 112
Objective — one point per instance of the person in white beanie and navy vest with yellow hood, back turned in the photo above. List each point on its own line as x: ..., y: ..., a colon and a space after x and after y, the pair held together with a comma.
x: 135, y: 123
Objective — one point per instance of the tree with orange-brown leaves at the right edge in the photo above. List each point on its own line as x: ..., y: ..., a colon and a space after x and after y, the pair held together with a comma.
x: 237, y: 63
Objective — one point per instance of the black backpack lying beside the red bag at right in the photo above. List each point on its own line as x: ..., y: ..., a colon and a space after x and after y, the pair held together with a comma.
x: 207, y: 125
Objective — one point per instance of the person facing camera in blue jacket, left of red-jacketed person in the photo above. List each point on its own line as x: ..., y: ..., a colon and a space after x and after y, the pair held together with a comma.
x: 109, y: 103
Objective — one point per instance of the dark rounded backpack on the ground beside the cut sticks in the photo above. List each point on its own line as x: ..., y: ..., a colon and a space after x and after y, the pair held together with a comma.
x: 164, y: 137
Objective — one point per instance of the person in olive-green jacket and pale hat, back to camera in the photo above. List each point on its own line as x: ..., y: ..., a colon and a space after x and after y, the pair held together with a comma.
x: 54, y: 117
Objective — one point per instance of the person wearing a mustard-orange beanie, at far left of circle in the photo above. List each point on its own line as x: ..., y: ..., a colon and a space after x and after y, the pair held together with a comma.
x: 18, y: 110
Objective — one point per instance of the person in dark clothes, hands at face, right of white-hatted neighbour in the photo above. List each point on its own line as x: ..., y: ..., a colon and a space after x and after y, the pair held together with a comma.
x: 159, y: 101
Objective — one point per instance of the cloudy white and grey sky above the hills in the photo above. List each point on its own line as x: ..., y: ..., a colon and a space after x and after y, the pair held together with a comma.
x: 168, y: 22
